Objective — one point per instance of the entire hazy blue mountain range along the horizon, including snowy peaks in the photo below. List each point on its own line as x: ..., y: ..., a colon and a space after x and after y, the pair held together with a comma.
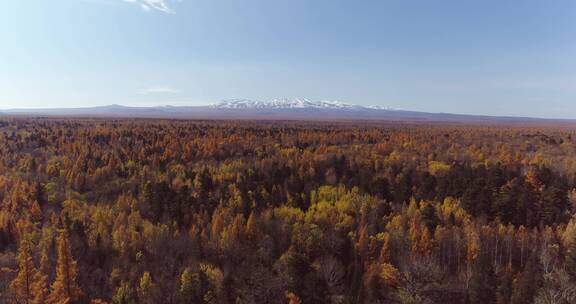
x: 276, y: 109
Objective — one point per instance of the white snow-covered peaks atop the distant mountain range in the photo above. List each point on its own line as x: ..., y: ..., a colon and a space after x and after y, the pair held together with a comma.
x: 284, y: 103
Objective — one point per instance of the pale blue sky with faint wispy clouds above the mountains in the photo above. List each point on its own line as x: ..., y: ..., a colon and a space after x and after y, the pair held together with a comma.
x: 501, y: 57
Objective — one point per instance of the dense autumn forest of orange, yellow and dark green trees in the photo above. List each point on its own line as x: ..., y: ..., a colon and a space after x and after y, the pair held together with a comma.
x: 153, y: 211
